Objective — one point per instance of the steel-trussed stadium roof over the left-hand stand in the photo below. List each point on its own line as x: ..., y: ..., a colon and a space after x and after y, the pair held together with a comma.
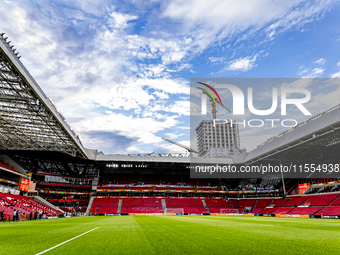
x: 28, y: 119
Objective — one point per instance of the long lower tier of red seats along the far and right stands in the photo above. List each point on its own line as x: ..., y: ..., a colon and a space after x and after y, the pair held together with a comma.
x: 308, y: 205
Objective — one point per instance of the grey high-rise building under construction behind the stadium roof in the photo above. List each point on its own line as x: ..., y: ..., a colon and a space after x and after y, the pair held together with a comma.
x: 219, y: 141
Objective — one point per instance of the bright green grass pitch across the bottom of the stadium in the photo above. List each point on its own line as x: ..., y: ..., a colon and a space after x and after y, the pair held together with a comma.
x: 173, y: 235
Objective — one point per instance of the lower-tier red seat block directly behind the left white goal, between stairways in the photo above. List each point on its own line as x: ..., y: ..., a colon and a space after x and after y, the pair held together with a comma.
x: 189, y: 205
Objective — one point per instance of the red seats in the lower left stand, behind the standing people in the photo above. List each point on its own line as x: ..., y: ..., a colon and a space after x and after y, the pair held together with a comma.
x: 9, y: 202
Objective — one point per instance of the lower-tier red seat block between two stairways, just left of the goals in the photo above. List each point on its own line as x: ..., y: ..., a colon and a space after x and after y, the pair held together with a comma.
x: 142, y: 205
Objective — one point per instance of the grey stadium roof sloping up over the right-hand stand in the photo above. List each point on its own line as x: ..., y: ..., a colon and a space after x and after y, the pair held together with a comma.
x: 316, y: 138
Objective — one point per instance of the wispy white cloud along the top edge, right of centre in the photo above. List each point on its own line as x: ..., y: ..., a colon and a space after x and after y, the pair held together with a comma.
x: 215, y: 20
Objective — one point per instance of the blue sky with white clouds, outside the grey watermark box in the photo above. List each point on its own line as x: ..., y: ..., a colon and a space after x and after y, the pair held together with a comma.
x: 119, y: 71
